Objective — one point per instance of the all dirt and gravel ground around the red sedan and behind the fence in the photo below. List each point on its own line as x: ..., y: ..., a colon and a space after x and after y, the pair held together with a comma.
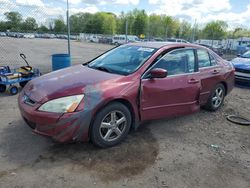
x: 201, y: 150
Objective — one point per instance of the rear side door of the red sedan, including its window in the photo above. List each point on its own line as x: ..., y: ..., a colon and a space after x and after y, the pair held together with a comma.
x: 209, y: 72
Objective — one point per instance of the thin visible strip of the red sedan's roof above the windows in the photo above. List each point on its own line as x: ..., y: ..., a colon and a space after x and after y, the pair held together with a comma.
x: 159, y: 45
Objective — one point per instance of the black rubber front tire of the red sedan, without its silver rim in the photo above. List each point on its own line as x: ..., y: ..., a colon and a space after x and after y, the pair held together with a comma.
x: 95, y: 135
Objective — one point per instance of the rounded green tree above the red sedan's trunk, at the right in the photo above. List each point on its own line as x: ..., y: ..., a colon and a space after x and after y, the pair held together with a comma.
x: 215, y: 30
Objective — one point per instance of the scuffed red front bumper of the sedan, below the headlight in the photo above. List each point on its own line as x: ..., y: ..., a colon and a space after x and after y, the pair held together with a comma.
x: 59, y: 126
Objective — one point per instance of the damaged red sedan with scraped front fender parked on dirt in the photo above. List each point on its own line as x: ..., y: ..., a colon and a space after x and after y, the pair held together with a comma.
x: 104, y: 99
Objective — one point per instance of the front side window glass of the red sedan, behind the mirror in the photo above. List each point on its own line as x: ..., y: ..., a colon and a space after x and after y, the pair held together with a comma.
x: 176, y: 62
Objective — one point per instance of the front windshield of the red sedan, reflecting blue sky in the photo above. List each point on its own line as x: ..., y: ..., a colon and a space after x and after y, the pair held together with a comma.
x: 122, y: 60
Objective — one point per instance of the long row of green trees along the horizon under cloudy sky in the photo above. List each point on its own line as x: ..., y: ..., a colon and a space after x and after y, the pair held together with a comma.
x: 137, y: 22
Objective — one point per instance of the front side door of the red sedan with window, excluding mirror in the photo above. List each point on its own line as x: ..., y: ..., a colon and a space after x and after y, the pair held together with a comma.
x: 178, y: 93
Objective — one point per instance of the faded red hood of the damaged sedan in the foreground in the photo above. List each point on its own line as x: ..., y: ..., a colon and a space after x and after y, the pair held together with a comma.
x: 65, y: 82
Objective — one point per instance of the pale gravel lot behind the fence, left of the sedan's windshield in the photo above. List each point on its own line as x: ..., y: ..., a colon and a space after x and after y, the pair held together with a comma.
x: 39, y: 51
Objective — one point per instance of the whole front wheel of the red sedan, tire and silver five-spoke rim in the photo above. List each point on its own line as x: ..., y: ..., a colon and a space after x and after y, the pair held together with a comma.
x: 111, y: 125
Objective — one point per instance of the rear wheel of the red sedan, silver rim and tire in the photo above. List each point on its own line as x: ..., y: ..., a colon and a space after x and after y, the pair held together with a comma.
x: 216, y: 98
